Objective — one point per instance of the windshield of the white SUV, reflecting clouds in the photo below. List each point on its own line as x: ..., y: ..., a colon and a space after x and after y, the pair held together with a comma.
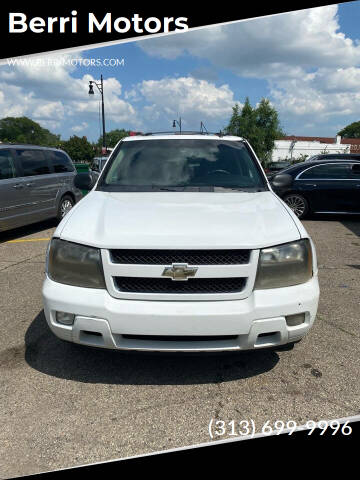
x: 182, y: 164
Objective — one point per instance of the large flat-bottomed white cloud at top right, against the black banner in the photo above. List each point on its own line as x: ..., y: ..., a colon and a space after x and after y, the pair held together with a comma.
x: 267, y: 47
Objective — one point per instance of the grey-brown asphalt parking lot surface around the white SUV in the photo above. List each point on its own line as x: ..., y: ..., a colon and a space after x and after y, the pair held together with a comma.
x: 64, y: 405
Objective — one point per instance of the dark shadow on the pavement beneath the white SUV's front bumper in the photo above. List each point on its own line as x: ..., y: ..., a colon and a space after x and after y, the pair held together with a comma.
x: 47, y: 354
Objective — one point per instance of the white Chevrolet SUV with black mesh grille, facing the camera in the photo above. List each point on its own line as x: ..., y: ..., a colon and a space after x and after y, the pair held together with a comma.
x: 181, y: 246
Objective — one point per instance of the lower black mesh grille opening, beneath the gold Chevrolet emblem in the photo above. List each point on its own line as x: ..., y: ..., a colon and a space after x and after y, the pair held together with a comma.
x: 166, y: 285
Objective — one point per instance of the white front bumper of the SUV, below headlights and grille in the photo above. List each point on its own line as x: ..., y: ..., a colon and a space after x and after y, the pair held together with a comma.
x: 255, y: 322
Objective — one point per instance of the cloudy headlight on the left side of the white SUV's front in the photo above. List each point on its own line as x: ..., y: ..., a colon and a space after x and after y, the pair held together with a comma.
x: 75, y: 264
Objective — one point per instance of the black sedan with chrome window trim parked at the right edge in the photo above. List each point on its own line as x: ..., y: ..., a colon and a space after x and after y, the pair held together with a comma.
x: 320, y: 187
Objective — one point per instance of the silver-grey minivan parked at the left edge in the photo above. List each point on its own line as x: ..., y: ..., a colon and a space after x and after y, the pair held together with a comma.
x: 36, y: 183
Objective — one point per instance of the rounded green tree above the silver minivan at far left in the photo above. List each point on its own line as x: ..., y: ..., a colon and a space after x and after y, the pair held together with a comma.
x: 25, y: 130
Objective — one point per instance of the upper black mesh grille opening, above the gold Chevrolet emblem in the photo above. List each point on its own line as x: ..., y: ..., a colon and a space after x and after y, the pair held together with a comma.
x: 192, y: 257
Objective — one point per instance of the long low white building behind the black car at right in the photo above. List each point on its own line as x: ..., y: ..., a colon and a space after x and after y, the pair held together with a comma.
x: 299, y: 148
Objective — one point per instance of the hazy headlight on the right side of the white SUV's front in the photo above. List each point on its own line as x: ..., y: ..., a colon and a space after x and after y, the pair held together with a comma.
x: 284, y: 265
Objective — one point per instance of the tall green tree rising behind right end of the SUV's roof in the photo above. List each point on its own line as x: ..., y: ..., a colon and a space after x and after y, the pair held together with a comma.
x: 259, y: 125
